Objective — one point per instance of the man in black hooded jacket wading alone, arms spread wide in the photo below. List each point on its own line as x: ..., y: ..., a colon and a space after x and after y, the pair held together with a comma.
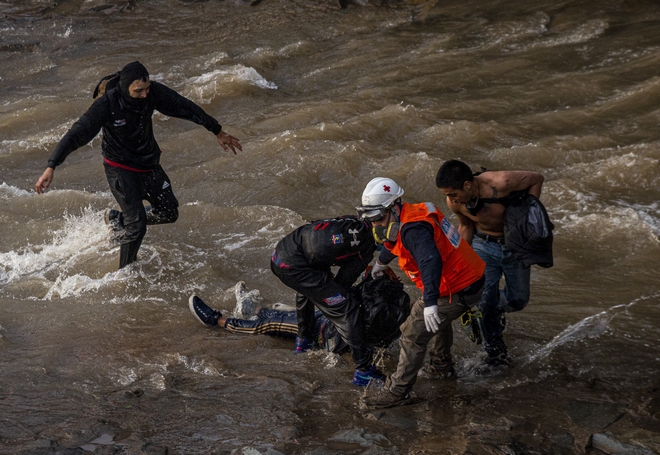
x: 131, y: 155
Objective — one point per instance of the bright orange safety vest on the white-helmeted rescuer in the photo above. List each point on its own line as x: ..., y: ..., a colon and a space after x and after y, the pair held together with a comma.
x: 461, y: 266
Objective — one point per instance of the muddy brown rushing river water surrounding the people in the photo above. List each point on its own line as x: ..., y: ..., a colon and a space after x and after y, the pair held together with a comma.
x: 93, y: 359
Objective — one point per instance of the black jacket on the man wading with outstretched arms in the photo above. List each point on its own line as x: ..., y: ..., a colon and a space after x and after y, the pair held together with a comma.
x: 128, y: 136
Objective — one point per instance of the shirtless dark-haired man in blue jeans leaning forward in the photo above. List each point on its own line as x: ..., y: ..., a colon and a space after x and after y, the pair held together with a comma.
x: 481, y: 220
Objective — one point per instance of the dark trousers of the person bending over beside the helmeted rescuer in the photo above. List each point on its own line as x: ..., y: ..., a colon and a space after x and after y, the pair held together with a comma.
x: 320, y: 288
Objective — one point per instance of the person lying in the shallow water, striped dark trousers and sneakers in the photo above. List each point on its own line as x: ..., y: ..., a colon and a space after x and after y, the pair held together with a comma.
x: 384, y: 303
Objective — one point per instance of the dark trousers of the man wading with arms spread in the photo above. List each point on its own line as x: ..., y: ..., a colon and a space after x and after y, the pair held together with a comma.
x: 131, y: 188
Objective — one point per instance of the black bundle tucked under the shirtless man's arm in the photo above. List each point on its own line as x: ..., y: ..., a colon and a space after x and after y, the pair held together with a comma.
x: 528, y: 230
